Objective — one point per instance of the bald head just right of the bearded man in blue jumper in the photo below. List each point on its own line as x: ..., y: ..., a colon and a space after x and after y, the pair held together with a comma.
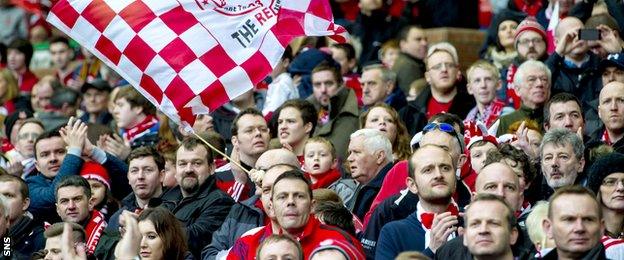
x: 500, y: 179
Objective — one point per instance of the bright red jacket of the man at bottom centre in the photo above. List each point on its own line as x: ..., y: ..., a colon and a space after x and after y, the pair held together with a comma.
x: 313, y: 236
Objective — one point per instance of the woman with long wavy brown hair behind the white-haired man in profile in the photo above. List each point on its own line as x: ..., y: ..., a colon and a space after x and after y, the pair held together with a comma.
x: 384, y: 118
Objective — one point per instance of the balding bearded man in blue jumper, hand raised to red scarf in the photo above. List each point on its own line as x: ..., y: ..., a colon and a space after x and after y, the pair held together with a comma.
x: 432, y: 178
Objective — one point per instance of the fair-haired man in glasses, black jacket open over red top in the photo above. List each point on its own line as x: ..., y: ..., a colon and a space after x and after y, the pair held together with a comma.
x: 445, y: 94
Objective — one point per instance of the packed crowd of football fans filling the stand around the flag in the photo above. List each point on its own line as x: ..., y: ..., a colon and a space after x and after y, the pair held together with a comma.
x: 379, y: 148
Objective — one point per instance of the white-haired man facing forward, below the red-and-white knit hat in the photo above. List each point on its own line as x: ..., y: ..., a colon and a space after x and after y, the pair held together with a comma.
x: 532, y: 83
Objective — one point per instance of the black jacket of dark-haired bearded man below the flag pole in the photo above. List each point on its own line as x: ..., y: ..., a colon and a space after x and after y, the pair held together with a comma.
x: 202, y: 213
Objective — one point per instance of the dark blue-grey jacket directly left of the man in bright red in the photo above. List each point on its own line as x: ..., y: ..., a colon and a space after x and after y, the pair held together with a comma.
x: 243, y: 217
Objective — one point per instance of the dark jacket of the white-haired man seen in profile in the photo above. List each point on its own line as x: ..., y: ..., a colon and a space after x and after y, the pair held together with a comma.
x: 365, y: 194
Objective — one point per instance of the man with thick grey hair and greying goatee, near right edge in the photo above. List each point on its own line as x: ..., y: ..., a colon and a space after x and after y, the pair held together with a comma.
x: 562, y: 160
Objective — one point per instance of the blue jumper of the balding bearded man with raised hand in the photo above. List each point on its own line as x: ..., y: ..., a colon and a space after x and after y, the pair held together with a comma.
x: 402, y: 235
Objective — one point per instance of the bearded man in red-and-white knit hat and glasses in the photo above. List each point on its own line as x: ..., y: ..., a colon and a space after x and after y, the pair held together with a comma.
x: 530, y: 42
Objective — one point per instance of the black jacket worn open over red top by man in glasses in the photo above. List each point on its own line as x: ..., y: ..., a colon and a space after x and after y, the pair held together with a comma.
x: 414, y: 115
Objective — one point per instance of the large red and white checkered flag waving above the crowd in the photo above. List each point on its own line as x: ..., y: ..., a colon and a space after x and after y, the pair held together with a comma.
x: 189, y: 57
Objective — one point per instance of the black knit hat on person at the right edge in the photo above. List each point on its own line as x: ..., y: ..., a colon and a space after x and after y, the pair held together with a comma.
x: 602, y: 167
